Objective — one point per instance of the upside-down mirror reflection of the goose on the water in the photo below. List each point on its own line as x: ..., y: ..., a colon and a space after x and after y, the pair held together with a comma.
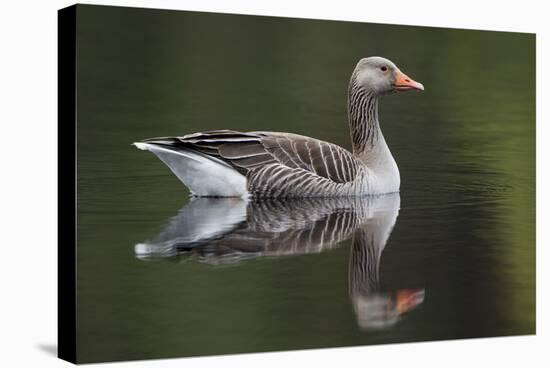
x: 229, y: 230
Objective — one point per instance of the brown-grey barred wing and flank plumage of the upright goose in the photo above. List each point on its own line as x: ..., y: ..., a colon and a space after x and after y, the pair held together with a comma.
x: 276, y: 164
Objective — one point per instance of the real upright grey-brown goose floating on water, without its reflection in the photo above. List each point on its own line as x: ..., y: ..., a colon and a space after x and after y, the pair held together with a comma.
x: 228, y: 163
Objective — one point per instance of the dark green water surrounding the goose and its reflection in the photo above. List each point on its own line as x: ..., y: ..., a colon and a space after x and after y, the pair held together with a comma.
x: 465, y: 233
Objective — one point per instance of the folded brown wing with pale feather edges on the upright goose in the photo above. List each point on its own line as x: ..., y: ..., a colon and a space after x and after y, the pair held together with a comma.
x: 254, y: 150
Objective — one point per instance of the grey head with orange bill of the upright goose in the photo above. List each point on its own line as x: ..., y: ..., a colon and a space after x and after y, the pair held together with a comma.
x: 382, y: 76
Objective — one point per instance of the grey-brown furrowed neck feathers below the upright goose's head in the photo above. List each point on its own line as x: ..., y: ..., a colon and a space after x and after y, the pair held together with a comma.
x: 363, y: 118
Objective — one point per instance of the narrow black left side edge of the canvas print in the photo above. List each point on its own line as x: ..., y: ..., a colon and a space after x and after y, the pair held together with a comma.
x: 66, y: 189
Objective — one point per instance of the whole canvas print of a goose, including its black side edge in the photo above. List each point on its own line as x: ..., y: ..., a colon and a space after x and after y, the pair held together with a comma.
x: 249, y: 184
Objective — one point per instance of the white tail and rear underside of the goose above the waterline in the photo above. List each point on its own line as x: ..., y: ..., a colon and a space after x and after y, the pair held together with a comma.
x: 204, y: 176
